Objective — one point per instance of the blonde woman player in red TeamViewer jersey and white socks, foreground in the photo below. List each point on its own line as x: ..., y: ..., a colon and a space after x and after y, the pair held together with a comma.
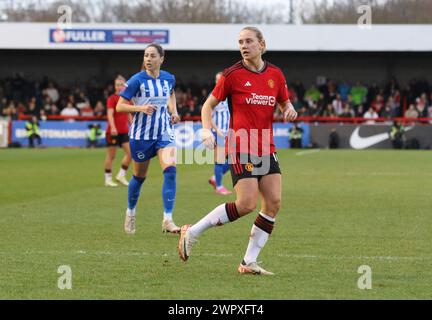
x: 254, y: 88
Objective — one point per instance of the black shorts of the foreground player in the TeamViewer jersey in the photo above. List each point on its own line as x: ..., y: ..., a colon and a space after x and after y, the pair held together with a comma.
x: 250, y: 166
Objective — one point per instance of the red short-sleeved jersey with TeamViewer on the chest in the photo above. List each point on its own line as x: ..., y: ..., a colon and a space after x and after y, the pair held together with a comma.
x: 252, y: 99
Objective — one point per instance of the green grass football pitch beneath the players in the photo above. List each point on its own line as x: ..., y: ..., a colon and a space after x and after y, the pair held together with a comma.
x: 340, y: 210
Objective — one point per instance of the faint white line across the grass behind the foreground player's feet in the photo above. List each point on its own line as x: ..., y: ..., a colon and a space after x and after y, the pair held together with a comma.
x: 226, y: 255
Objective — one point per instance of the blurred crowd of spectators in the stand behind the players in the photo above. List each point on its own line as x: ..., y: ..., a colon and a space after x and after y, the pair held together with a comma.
x: 46, y: 97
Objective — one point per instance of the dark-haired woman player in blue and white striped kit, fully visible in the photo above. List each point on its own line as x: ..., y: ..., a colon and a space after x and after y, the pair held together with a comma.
x: 150, y: 95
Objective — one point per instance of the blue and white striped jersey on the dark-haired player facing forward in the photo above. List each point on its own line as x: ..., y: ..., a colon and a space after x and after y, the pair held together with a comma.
x: 143, y: 89
